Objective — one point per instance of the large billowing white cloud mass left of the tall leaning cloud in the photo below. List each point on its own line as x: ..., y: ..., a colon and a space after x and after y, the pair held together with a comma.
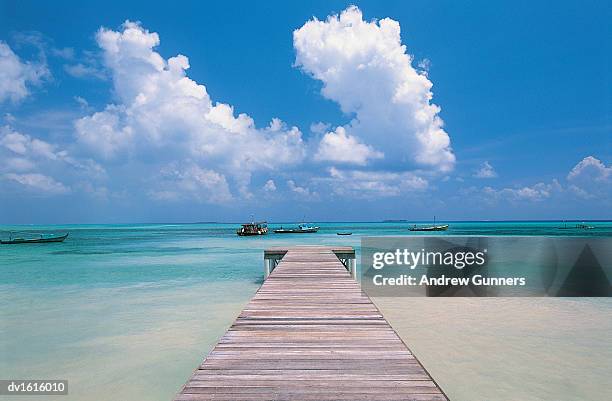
x: 164, y: 115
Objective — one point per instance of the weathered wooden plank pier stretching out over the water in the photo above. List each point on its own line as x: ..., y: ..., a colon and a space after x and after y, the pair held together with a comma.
x: 309, y: 333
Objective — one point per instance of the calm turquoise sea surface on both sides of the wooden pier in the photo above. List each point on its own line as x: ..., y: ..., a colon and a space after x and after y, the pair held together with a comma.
x: 126, y: 312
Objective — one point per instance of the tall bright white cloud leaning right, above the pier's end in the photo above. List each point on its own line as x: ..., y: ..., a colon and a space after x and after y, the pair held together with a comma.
x: 365, y: 69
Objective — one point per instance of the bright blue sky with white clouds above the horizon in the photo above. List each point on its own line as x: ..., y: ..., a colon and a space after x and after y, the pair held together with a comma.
x: 489, y: 112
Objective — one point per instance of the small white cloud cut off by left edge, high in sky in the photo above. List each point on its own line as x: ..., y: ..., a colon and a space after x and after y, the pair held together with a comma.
x: 16, y: 75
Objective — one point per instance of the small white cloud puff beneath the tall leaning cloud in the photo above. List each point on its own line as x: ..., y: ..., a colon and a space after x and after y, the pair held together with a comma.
x: 340, y: 147
